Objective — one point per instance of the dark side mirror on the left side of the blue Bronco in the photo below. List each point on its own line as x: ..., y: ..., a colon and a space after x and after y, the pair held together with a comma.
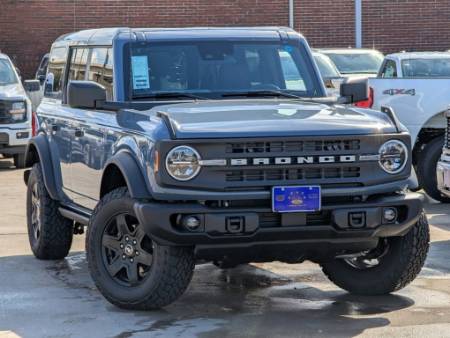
x: 85, y: 94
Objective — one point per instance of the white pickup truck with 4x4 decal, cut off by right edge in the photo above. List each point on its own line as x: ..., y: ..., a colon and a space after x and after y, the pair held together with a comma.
x: 417, y: 87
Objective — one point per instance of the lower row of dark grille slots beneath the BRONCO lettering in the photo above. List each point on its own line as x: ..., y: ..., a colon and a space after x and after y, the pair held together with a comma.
x: 252, y: 175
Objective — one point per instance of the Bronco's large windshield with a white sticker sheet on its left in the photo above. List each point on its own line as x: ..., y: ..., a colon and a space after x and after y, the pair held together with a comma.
x: 220, y: 68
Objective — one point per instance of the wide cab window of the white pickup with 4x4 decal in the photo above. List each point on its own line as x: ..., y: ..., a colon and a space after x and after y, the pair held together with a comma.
x: 426, y: 67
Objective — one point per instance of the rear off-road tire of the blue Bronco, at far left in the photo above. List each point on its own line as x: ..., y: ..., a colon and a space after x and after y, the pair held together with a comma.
x: 56, y: 231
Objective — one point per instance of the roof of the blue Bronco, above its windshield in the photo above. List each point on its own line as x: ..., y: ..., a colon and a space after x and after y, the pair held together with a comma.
x: 105, y: 36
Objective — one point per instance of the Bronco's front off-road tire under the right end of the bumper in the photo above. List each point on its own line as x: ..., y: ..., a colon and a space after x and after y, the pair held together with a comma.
x: 399, y: 267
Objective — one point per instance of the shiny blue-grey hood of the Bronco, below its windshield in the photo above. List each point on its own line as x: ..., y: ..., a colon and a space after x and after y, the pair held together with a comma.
x: 259, y: 118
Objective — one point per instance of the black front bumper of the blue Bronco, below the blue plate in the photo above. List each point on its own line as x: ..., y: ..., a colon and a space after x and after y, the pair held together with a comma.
x: 161, y: 222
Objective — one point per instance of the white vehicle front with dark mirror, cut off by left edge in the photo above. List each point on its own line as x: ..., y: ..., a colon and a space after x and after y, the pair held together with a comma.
x: 15, y: 112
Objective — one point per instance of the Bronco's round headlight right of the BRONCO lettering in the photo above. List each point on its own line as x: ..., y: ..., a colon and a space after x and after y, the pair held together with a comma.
x: 393, y: 156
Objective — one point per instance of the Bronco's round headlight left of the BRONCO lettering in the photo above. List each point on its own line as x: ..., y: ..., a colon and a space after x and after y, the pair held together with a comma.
x: 182, y: 163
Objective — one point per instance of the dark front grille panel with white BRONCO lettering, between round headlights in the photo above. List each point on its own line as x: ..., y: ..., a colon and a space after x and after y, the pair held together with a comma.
x: 256, y: 164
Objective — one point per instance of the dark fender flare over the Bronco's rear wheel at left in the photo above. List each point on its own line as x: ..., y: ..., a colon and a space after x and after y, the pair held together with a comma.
x: 40, y: 145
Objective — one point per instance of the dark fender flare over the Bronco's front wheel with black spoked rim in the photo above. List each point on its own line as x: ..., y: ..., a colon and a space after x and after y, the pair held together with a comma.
x: 123, y: 170
